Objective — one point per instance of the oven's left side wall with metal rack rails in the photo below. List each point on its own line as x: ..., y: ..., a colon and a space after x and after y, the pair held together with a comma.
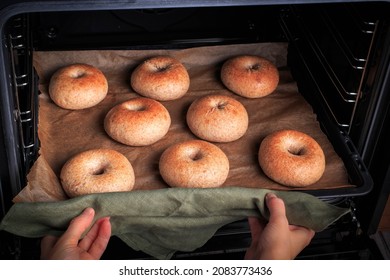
x: 19, y: 111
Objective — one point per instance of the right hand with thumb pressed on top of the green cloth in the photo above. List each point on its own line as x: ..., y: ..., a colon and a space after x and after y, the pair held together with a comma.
x: 276, y: 240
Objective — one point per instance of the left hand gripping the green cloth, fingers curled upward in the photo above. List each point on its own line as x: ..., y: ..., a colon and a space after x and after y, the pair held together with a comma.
x: 70, y: 247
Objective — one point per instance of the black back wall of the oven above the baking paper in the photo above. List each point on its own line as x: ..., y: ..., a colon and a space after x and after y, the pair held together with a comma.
x: 155, y: 28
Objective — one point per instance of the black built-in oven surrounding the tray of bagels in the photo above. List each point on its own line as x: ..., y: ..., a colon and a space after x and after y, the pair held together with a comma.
x: 337, y: 52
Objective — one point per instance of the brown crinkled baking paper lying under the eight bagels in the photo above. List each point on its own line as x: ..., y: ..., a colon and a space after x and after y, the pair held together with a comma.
x: 64, y: 133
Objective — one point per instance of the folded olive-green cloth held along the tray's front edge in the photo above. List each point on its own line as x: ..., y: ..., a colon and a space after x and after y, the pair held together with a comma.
x: 161, y: 222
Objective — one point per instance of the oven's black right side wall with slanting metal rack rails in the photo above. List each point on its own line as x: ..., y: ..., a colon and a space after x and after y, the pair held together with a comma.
x: 357, y: 68
